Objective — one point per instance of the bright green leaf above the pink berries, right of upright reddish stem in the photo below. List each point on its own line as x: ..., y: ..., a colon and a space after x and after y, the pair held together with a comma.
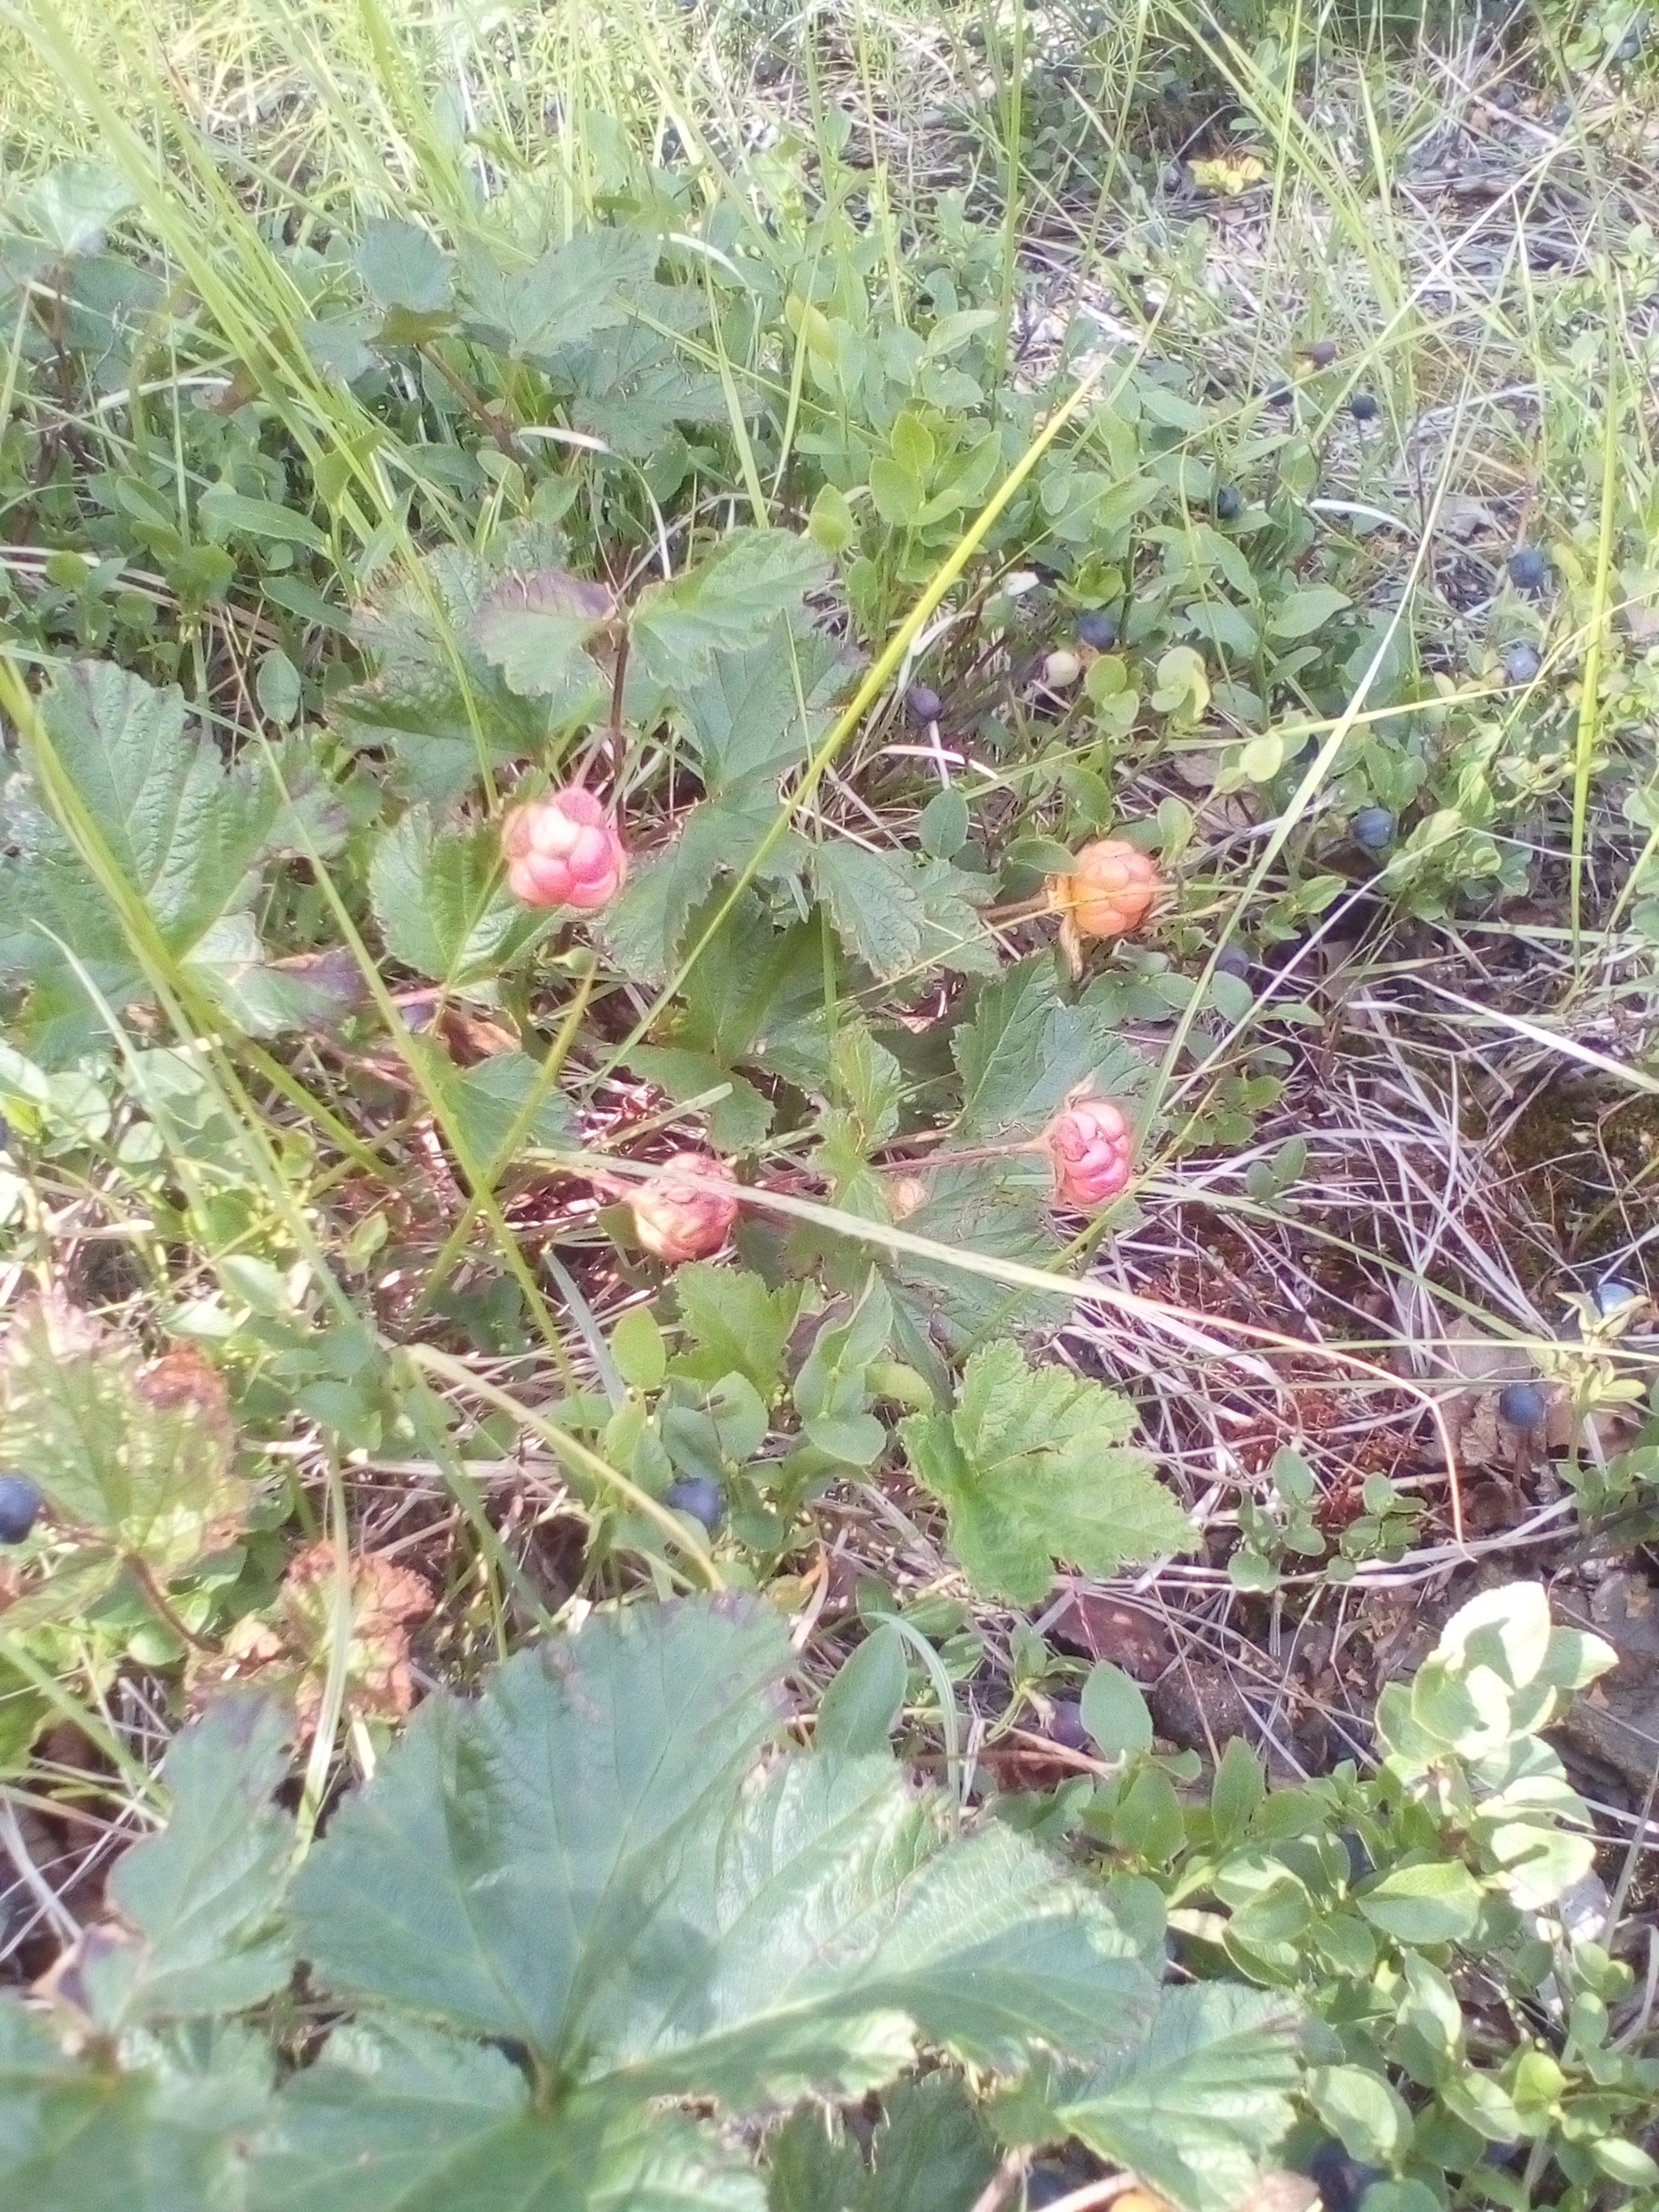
x: 724, y: 605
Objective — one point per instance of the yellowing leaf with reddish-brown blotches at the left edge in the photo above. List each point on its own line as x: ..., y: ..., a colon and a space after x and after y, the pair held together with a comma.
x: 136, y: 1454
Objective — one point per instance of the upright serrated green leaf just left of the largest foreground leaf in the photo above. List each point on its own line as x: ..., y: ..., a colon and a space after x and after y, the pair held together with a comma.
x: 205, y: 1897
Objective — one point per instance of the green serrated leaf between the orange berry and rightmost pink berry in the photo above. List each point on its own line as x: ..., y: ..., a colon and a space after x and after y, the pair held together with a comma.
x: 1025, y: 1047
